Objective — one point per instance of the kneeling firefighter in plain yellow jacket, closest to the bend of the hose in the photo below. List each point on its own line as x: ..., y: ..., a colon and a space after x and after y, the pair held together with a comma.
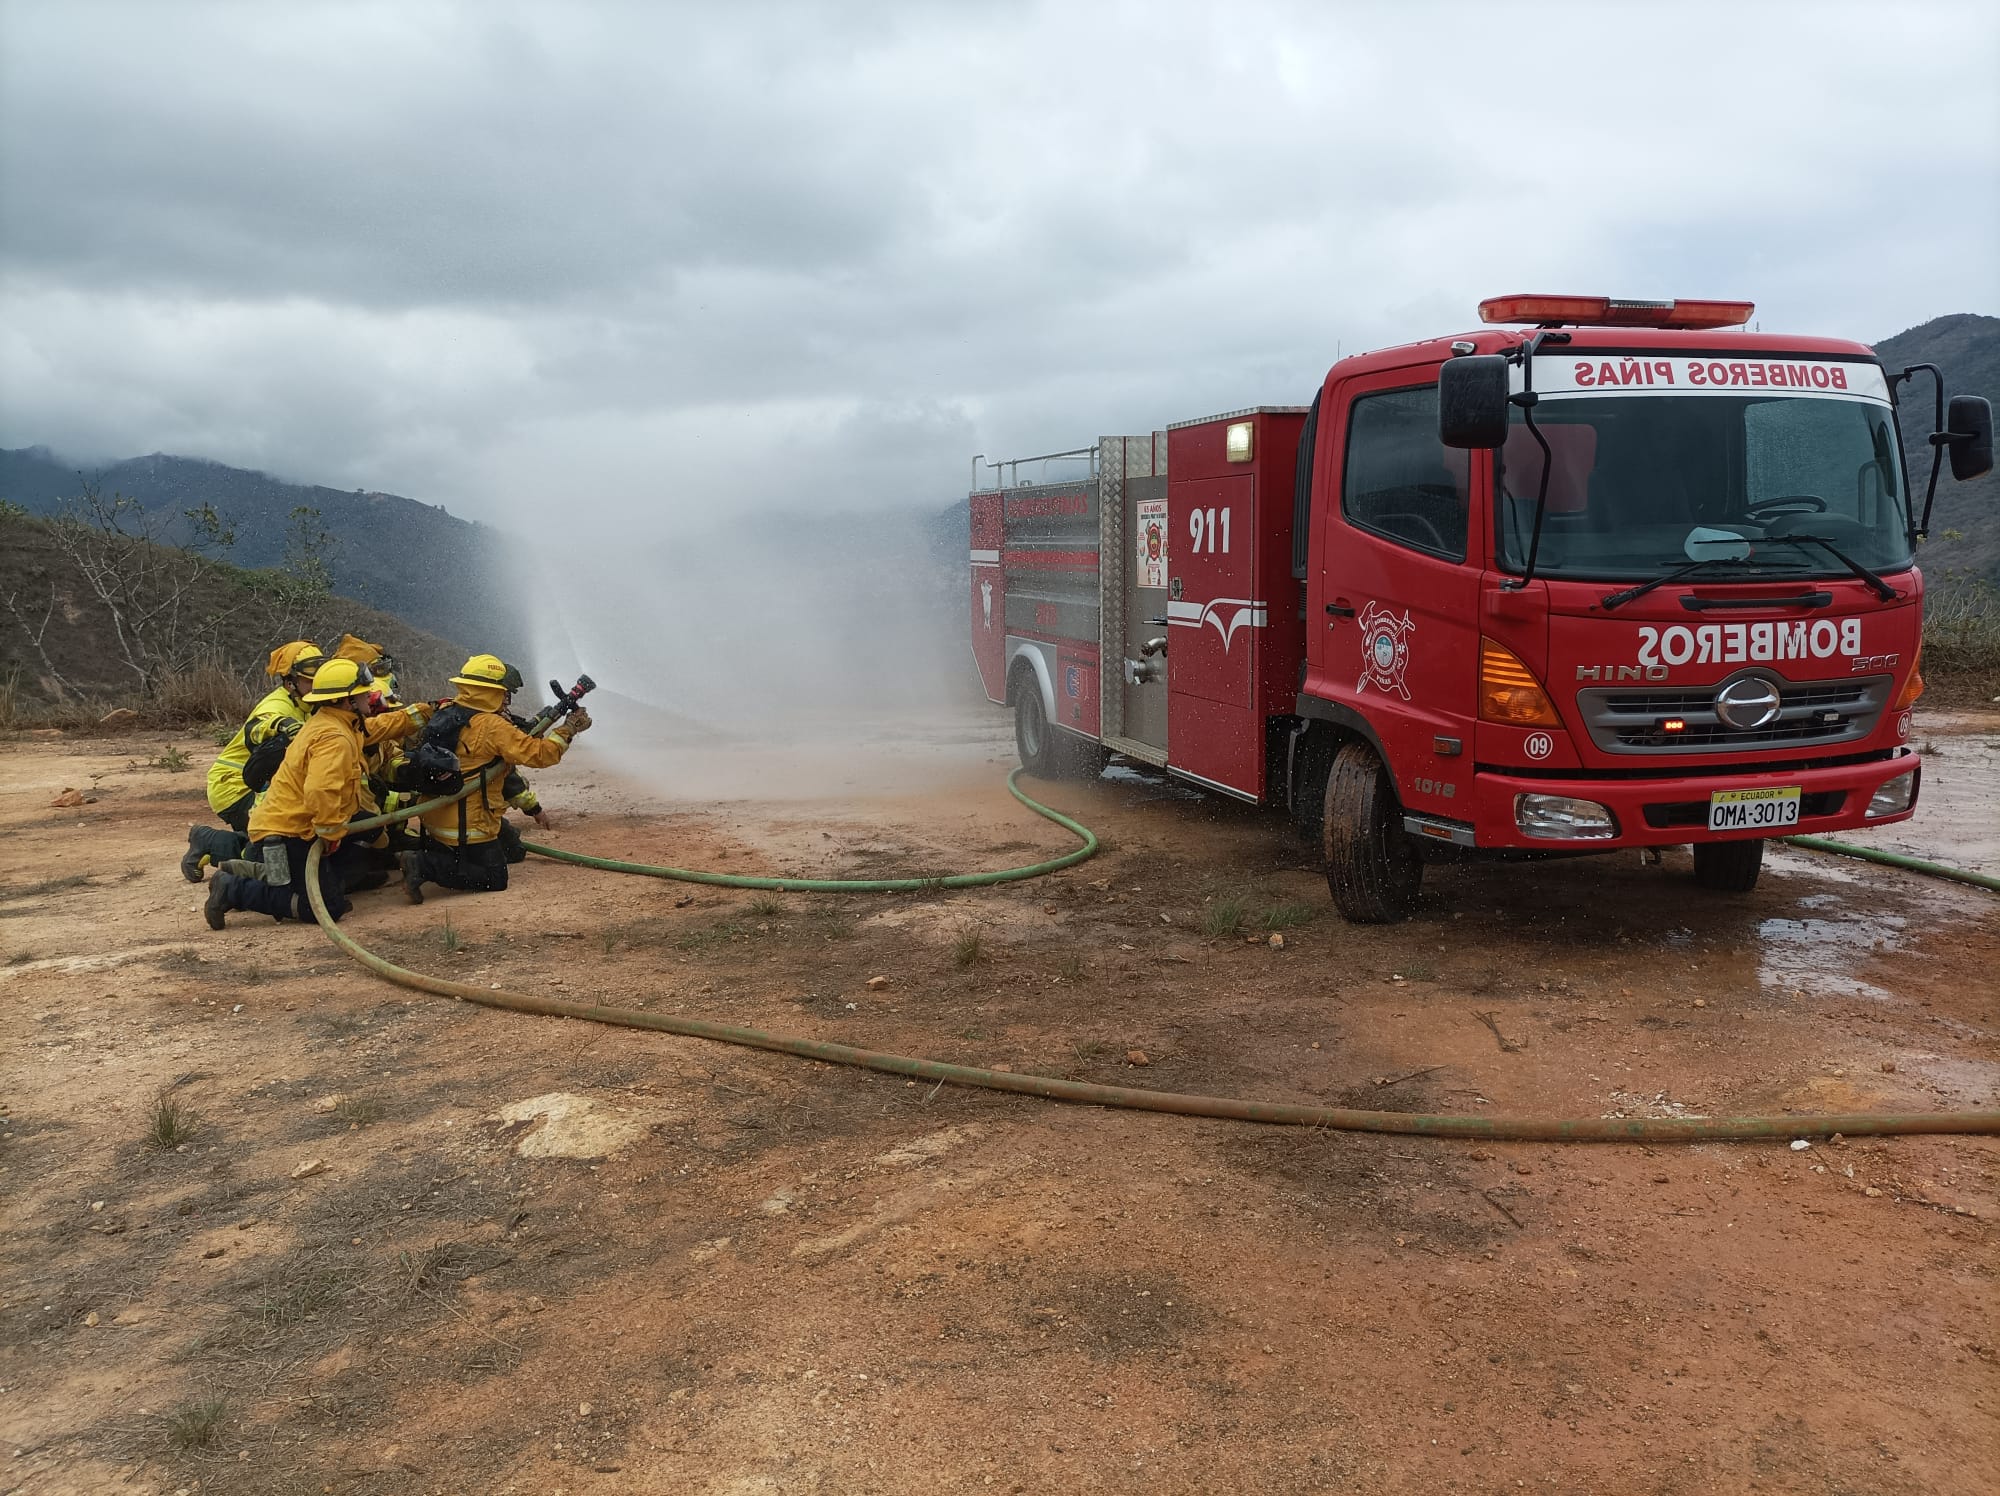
x: 313, y: 797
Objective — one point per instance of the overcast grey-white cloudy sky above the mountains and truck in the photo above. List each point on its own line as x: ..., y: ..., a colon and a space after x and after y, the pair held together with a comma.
x: 589, y: 261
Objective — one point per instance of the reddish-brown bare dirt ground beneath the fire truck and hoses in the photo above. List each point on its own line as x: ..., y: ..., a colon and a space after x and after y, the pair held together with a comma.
x: 423, y: 1247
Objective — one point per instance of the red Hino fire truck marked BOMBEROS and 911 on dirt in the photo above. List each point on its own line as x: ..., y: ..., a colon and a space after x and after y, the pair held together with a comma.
x: 1599, y: 575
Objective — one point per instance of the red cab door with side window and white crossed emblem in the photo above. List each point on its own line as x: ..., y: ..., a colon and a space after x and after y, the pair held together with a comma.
x: 1395, y: 585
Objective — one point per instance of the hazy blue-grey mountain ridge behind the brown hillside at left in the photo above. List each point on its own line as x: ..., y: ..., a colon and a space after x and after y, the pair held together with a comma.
x: 439, y: 573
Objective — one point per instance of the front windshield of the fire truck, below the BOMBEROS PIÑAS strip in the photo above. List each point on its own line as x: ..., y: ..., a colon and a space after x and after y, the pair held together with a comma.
x: 1641, y: 485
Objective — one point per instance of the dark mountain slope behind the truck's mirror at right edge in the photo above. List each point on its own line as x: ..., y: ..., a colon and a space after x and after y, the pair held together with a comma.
x: 1965, y: 527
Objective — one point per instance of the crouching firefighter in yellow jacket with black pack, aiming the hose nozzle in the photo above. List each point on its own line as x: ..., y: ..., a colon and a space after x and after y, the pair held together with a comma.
x: 461, y: 845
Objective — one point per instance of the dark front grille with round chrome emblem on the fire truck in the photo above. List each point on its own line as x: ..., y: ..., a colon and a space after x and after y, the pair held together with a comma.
x: 1811, y: 713
